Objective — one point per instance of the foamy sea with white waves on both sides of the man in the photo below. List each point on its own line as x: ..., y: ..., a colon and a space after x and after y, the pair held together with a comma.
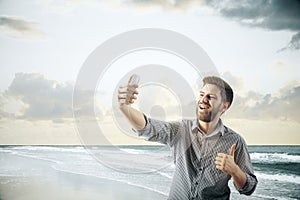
x: 150, y: 167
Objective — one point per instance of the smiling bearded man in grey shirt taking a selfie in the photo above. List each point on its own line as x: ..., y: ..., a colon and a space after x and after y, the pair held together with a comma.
x: 206, y: 153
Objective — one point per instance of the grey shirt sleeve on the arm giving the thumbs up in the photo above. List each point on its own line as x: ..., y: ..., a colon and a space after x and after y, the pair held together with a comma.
x: 242, y: 159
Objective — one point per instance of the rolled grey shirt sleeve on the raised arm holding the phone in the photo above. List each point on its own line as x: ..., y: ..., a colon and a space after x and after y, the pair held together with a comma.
x: 160, y: 131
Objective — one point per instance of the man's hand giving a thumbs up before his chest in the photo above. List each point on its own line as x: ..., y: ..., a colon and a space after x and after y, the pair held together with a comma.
x: 225, y: 162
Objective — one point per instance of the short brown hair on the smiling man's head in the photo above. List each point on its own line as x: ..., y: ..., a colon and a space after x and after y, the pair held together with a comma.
x: 226, y: 90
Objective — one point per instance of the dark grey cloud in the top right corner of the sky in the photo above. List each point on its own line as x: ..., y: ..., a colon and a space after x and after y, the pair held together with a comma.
x: 273, y: 15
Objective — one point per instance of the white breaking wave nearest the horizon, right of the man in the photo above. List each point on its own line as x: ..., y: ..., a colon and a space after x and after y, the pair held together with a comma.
x: 274, y: 158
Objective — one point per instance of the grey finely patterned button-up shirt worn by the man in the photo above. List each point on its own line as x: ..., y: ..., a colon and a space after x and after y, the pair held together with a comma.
x: 196, y: 175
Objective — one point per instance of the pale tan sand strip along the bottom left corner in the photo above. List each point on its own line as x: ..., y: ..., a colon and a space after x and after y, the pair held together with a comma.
x: 70, y: 188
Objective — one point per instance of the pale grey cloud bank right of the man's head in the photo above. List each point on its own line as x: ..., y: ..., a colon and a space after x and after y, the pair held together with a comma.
x: 282, y: 105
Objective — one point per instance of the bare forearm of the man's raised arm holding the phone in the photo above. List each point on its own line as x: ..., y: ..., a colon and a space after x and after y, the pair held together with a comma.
x: 135, y: 117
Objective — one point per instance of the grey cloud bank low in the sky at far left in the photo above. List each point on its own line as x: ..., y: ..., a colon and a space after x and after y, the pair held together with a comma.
x: 45, y: 99
